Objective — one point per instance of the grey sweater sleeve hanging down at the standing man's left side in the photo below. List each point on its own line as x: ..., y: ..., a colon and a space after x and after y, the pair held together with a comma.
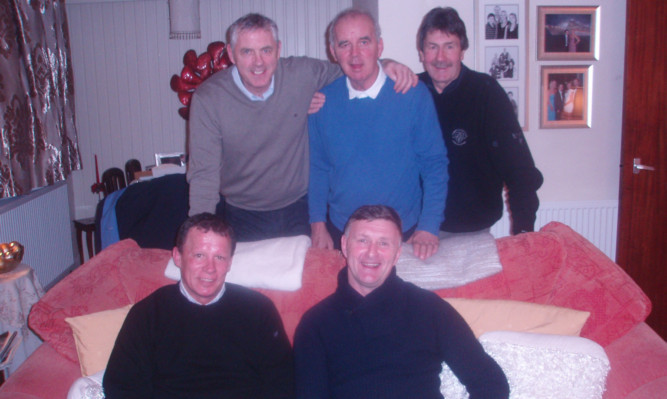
x: 205, y: 157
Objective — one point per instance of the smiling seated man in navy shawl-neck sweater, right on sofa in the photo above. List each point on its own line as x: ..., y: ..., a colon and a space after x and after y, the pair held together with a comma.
x: 380, y: 337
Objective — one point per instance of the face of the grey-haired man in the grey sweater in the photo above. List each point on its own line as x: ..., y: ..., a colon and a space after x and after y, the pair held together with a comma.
x: 255, y: 55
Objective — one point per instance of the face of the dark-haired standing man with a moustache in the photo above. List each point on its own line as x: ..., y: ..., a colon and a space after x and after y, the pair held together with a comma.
x: 442, y: 56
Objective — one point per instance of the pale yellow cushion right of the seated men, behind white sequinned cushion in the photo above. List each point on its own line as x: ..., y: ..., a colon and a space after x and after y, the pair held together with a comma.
x: 483, y: 315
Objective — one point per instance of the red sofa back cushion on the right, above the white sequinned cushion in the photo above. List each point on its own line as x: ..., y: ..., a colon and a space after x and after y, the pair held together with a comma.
x: 557, y: 266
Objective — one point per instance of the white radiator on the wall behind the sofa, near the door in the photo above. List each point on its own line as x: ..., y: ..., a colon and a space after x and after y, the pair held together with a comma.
x: 597, y: 221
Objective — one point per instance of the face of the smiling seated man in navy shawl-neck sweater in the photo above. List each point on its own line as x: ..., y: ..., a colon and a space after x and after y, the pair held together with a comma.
x: 372, y: 249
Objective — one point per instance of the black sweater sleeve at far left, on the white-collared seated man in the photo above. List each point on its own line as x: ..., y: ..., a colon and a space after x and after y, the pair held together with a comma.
x: 129, y: 371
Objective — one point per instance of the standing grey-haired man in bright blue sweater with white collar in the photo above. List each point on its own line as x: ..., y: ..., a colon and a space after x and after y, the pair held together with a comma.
x: 369, y: 144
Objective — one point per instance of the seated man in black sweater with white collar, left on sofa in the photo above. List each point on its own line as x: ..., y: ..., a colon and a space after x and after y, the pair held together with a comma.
x: 202, y: 337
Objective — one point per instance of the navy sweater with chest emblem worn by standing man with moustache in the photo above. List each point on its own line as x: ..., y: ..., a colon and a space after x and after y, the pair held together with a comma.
x: 487, y: 152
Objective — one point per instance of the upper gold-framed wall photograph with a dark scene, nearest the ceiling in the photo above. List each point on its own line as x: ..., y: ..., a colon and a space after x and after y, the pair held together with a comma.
x: 567, y: 33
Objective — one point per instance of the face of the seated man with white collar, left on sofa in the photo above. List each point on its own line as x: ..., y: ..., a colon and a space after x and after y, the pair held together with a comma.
x: 204, y: 263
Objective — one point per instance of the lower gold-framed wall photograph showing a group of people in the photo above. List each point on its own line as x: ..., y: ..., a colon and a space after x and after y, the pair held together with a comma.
x: 565, y: 93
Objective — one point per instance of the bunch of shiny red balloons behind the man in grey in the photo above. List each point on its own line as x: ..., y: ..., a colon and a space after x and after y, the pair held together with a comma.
x: 196, y: 69
